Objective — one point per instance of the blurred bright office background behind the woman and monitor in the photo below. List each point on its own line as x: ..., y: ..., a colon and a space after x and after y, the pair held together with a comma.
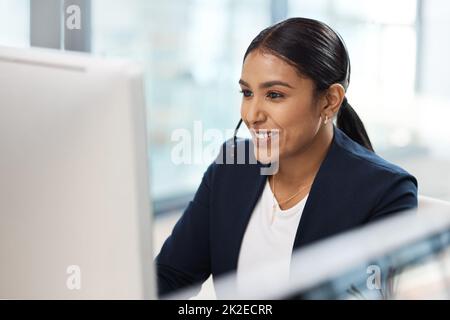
x: 192, y: 53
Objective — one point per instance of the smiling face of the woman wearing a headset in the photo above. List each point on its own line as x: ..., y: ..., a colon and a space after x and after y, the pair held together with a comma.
x: 276, y: 98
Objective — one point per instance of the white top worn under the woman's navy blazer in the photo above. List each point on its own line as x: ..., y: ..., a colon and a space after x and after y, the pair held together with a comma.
x: 268, y: 241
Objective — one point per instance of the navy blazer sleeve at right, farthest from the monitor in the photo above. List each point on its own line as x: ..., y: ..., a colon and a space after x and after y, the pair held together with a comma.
x: 400, y: 194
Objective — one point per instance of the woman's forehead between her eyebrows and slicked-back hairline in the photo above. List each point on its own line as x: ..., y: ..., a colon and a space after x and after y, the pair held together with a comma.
x: 262, y: 66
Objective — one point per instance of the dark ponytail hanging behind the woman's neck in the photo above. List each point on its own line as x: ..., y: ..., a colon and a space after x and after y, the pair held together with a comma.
x: 350, y: 123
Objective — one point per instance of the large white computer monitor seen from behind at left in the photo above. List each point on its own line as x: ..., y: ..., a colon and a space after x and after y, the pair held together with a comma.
x: 75, y: 211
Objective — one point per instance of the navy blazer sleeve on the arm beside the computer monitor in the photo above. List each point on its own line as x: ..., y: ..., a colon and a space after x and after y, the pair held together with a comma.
x: 184, y: 259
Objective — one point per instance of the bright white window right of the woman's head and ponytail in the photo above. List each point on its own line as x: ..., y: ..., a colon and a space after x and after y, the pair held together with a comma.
x: 381, y: 39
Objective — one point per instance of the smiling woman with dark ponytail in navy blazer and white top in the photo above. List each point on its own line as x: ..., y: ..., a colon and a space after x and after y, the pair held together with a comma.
x: 329, y: 179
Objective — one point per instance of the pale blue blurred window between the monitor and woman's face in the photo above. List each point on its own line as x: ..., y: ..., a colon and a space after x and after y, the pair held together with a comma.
x: 192, y: 53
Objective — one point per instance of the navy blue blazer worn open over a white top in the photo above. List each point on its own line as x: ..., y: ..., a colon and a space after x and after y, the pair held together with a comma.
x: 352, y: 187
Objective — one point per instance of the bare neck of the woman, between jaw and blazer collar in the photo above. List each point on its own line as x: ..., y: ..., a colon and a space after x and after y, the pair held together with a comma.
x: 303, y: 166
